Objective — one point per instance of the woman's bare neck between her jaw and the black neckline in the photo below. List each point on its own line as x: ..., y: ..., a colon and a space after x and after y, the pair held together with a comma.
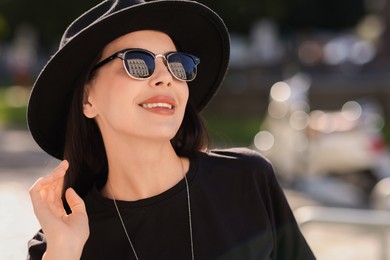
x: 143, y: 169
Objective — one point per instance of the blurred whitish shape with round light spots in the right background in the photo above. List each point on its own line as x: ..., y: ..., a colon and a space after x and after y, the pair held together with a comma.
x: 310, y: 146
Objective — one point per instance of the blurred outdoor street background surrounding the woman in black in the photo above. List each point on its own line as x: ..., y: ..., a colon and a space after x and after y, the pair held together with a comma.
x: 308, y: 87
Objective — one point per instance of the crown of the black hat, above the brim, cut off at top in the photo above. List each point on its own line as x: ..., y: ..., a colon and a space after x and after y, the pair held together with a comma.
x: 95, y: 14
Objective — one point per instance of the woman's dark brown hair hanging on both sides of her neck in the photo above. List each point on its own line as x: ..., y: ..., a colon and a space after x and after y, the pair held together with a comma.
x: 85, y: 151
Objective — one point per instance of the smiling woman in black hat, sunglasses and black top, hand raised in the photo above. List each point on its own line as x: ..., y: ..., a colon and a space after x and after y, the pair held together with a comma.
x: 118, y: 104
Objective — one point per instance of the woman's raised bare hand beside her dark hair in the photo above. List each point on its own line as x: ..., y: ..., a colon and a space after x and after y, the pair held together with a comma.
x: 65, y: 233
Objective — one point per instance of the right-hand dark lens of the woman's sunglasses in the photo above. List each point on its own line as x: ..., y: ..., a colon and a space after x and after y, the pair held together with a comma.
x: 183, y: 66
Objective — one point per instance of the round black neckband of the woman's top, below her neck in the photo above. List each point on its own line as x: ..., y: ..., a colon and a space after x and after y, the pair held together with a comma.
x: 179, y: 187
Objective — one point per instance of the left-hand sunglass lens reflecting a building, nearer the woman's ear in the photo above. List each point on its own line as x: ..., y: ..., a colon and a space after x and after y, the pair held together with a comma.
x: 139, y: 65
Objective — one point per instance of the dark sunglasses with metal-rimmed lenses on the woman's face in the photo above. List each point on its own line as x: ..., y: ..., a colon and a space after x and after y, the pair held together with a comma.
x: 140, y: 63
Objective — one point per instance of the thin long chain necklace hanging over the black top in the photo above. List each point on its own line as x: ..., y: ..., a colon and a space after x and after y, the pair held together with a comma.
x: 189, y: 216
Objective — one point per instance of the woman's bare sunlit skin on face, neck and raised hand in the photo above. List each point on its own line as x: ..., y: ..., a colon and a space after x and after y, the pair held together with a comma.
x: 142, y: 161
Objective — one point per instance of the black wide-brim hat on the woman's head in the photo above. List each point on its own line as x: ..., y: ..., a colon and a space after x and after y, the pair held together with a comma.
x: 193, y: 27
